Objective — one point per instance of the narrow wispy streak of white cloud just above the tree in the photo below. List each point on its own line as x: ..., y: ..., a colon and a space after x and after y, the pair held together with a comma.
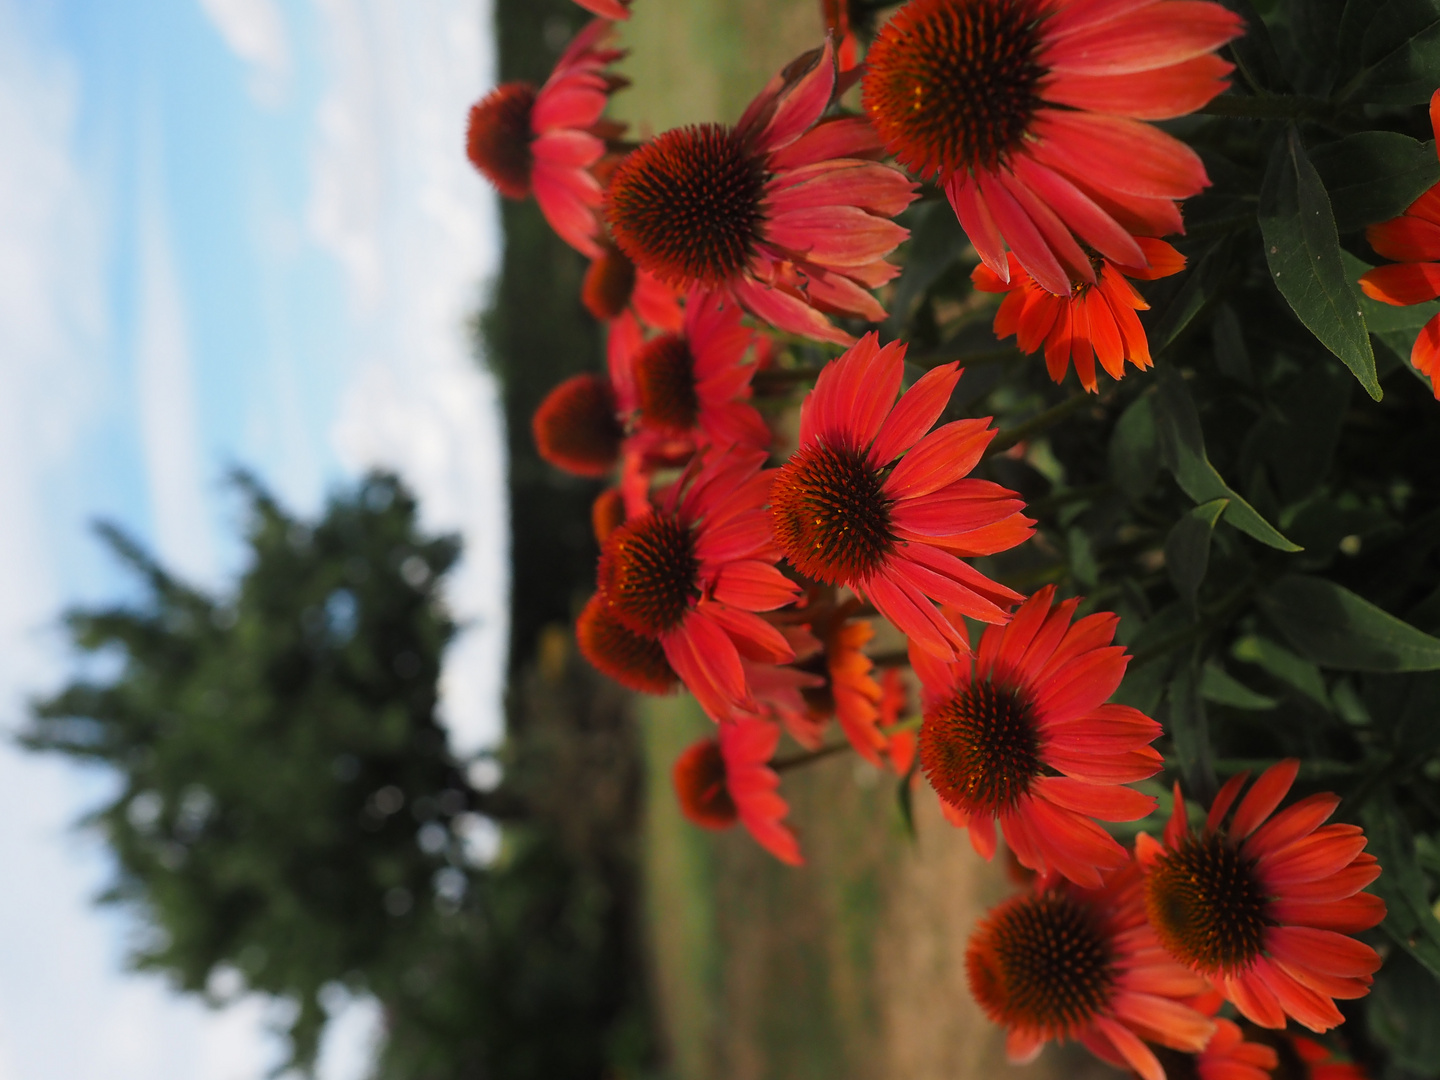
x: 175, y: 460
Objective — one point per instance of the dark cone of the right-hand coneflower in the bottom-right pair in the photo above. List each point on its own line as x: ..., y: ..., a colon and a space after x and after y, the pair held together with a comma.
x: 1207, y: 905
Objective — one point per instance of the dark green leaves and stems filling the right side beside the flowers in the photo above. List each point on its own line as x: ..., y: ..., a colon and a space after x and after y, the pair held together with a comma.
x: 1269, y: 536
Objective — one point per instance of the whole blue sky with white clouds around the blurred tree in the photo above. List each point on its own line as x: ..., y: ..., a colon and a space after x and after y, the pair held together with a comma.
x: 231, y: 233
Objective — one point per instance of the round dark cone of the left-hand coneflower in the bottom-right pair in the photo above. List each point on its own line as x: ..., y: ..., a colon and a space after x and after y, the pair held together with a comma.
x: 1042, y: 964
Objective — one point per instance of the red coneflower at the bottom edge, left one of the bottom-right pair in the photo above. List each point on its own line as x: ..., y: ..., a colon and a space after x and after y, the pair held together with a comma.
x: 1065, y: 963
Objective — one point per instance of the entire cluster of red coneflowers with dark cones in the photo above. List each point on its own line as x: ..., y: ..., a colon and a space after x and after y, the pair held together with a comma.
x: 755, y: 570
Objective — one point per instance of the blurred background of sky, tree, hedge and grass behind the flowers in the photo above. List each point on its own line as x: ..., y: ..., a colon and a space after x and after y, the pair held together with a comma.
x: 302, y: 773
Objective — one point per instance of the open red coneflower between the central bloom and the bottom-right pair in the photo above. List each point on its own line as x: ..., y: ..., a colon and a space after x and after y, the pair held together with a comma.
x: 1022, y: 737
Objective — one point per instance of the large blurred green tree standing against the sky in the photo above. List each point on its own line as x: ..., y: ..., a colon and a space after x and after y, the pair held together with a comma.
x: 287, y: 803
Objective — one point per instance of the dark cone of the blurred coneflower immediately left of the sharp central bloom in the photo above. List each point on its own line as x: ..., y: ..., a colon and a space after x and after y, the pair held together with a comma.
x: 649, y: 572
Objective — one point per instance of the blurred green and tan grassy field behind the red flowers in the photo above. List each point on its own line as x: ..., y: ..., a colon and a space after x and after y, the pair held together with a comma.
x: 852, y: 967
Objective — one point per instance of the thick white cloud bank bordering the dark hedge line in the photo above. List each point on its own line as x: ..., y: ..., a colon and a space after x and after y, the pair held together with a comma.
x: 395, y: 201
